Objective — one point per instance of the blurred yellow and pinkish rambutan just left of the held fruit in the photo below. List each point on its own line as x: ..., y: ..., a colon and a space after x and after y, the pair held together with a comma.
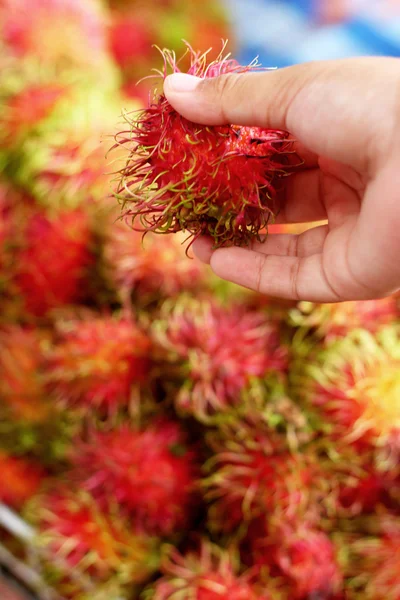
x: 66, y: 167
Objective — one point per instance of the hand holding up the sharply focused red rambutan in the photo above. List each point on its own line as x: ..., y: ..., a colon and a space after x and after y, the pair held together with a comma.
x: 345, y: 115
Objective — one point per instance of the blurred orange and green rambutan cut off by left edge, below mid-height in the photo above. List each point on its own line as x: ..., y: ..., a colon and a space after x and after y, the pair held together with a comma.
x: 31, y: 422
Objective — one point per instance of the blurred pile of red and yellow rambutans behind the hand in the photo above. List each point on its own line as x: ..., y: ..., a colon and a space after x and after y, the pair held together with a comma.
x: 165, y: 435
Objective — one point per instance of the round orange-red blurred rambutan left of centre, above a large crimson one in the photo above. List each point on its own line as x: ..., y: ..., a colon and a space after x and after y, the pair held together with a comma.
x: 98, y: 362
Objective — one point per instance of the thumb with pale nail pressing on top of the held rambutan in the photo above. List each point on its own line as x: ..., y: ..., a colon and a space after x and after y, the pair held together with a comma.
x: 334, y: 108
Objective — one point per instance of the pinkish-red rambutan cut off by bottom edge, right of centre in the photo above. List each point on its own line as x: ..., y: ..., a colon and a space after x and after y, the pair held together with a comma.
x: 302, y: 556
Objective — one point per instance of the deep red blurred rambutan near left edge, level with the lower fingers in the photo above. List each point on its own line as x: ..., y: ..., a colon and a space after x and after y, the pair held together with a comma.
x: 52, y: 265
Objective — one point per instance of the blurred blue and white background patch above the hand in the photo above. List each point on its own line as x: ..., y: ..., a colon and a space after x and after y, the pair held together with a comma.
x: 285, y: 32
